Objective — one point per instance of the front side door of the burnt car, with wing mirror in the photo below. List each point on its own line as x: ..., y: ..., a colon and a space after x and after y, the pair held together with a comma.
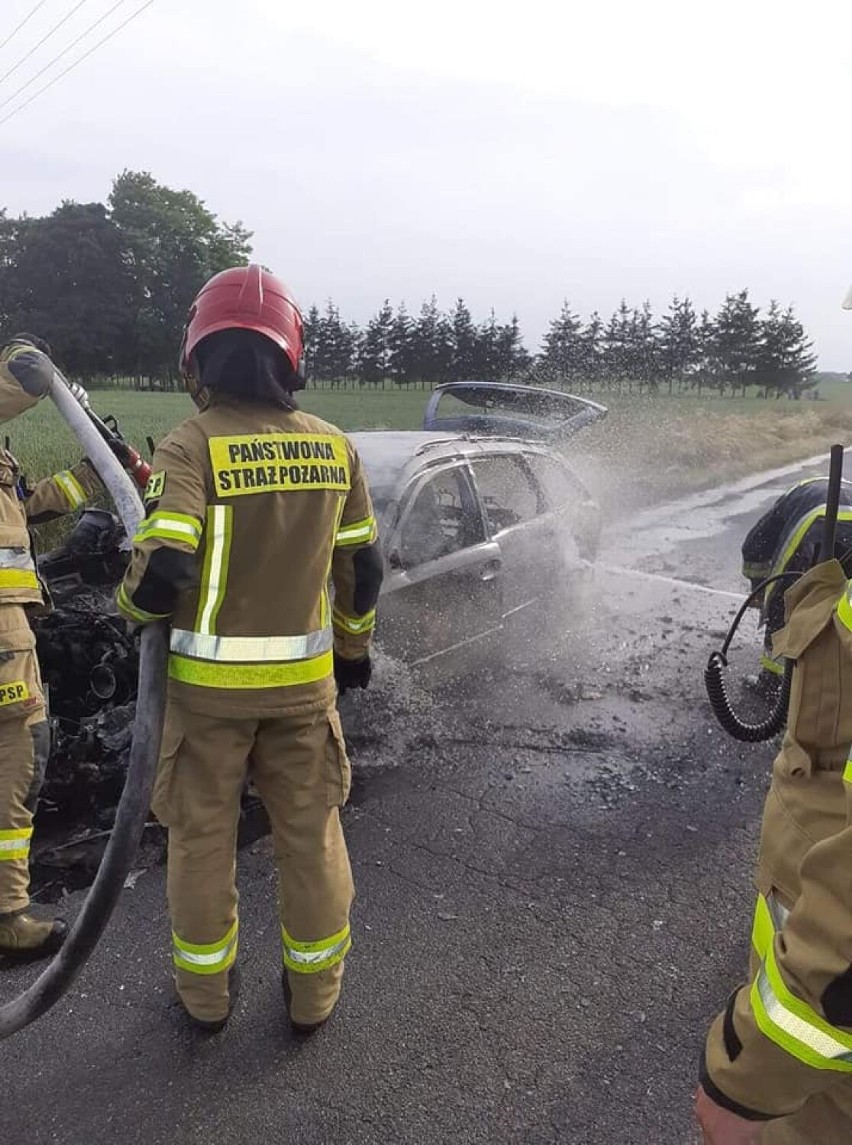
x: 444, y: 591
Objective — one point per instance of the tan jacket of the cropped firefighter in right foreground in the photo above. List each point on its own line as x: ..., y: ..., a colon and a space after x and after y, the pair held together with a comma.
x: 788, y: 1035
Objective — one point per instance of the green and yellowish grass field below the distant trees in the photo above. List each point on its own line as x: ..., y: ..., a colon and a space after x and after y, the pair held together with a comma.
x: 648, y: 448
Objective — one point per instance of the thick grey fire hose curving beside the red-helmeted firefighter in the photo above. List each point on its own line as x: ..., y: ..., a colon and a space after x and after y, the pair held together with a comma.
x: 133, y: 808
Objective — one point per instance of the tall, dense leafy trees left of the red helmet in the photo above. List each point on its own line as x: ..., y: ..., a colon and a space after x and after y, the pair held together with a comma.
x: 109, y: 285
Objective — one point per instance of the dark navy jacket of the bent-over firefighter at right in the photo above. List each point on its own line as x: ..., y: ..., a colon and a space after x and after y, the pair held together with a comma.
x: 788, y: 536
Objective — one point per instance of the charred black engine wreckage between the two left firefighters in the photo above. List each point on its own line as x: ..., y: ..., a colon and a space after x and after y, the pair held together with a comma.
x: 90, y: 666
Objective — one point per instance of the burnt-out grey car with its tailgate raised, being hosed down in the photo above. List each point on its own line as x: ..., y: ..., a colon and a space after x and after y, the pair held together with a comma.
x: 482, y: 519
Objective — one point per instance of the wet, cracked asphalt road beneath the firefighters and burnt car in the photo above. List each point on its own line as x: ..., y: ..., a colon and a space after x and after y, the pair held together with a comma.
x: 554, y: 872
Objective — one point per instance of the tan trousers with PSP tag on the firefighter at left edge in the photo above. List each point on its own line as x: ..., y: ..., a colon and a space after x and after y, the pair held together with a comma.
x: 25, y: 748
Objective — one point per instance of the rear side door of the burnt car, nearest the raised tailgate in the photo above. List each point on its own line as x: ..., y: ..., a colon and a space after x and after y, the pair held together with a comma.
x: 518, y: 522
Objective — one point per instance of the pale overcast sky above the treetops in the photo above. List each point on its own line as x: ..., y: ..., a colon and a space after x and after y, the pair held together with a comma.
x: 515, y: 155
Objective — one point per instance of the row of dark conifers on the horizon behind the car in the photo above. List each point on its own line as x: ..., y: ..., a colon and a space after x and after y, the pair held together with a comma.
x: 728, y: 353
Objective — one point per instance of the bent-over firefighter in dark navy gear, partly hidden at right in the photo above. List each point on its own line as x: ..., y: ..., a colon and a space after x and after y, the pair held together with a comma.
x: 786, y: 540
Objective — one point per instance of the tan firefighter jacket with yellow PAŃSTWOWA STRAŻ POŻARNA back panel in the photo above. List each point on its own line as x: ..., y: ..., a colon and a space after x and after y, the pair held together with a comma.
x: 250, y: 511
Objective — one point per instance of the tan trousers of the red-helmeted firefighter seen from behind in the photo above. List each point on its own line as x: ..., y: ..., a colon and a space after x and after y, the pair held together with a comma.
x: 299, y: 767
